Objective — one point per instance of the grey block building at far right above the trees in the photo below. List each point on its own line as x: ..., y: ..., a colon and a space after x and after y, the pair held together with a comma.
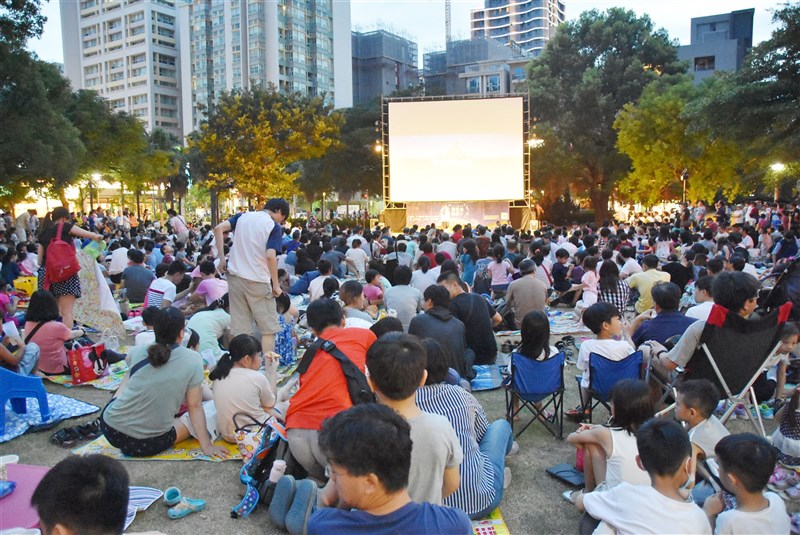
x: 718, y: 43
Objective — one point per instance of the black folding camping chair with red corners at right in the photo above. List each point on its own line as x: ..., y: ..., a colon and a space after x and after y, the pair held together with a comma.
x: 732, y: 354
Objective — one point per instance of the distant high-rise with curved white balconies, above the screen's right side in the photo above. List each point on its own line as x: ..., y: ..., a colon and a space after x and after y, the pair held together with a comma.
x: 528, y: 23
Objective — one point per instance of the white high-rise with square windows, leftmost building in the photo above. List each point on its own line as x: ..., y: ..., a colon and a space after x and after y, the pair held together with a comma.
x: 126, y: 50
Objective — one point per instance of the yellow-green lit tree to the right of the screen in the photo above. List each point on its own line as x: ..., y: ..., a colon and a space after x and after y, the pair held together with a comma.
x: 656, y: 133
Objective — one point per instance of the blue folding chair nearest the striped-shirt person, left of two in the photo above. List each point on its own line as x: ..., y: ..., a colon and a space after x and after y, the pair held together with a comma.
x: 532, y: 381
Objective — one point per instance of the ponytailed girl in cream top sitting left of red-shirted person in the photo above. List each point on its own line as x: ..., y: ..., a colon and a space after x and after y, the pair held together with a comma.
x: 239, y: 386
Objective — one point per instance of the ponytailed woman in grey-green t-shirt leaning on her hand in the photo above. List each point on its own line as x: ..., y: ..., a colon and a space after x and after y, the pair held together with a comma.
x: 140, y: 418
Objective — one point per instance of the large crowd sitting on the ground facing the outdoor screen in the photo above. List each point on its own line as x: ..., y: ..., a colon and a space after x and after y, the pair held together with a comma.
x: 413, y: 312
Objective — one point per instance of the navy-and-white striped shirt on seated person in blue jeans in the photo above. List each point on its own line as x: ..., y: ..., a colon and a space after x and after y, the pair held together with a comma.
x: 466, y: 415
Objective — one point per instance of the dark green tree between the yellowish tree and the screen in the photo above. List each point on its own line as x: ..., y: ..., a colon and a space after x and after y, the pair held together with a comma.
x: 353, y: 165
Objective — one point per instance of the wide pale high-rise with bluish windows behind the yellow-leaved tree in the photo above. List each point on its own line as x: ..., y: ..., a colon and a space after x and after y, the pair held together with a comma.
x: 301, y: 46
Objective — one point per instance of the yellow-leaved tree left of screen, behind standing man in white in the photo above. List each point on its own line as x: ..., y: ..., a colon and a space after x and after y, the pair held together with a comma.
x: 254, y: 139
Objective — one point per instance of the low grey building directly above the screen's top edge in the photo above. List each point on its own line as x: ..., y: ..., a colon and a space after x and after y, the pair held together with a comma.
x: 475, y: 66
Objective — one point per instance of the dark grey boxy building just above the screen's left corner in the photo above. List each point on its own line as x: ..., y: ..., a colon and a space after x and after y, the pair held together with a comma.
x: 382, y: 63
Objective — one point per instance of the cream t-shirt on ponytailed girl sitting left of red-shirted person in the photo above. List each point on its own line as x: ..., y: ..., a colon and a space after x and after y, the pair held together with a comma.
x: 243, y: 390
